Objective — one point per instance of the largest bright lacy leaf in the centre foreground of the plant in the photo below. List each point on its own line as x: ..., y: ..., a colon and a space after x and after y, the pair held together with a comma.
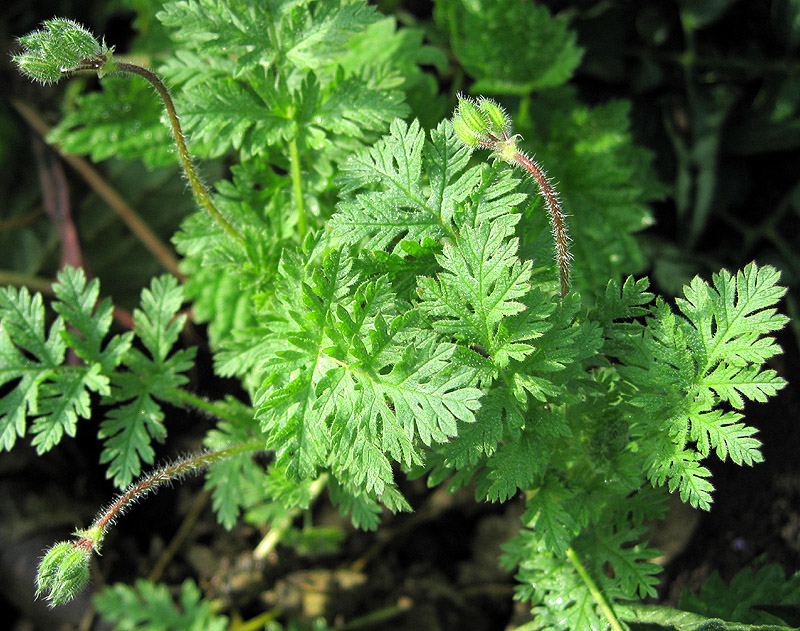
x: 357, y: 384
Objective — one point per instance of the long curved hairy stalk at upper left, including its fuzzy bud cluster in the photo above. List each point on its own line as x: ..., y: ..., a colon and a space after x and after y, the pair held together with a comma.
x: 64, y: 48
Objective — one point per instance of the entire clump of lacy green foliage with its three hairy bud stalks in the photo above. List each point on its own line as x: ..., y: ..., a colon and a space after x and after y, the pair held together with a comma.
x: 390, y: 302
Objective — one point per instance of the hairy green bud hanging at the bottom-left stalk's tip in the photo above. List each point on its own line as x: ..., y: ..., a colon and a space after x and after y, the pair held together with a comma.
x: 63, y: 572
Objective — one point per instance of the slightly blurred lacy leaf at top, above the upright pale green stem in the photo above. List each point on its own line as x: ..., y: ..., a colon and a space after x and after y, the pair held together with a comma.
x: 285, y: 85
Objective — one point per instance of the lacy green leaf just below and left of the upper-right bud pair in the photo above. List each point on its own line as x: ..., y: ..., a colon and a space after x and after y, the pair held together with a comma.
x: 412, y: 207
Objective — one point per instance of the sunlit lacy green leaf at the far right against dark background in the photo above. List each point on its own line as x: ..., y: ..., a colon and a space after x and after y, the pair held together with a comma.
x: 683, y: 374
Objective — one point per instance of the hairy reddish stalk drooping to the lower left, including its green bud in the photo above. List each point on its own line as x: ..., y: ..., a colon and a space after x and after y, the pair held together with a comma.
x: 64, y: 569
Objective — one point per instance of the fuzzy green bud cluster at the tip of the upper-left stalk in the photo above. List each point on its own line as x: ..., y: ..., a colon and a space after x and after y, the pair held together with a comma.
x: 63, y: 46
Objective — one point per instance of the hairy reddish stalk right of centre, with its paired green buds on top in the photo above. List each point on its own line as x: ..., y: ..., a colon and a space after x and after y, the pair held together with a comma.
x: 485, y: 124
